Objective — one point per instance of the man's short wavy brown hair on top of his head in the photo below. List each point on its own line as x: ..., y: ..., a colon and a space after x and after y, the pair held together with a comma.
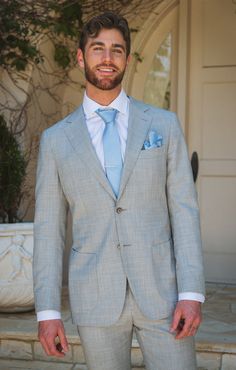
x: 106, y: 20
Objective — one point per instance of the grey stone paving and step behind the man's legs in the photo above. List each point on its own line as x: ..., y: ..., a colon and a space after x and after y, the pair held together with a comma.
x: 215, y: 341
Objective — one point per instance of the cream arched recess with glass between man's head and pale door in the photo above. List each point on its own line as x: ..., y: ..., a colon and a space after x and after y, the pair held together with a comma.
x: 152, y: 76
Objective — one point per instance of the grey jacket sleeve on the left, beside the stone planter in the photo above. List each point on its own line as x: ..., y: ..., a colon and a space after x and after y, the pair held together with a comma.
x: 49, y: 230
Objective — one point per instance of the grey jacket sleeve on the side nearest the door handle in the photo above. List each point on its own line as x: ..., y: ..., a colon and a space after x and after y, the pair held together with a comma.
x: 184, y: 214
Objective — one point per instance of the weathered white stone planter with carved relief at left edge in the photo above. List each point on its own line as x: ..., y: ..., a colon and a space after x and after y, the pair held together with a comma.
x: 16, y: 281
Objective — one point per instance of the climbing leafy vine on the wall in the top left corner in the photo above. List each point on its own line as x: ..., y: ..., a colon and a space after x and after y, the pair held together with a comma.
x: 22, y: 22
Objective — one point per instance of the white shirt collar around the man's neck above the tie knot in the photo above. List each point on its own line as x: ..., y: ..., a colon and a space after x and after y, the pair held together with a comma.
x: 120, y: 103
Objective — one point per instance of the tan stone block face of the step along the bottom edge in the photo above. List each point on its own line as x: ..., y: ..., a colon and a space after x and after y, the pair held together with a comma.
x: 23, y: 351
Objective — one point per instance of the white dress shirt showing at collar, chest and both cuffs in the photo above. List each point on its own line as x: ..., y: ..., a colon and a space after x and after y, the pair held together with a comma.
x: 96, y: 127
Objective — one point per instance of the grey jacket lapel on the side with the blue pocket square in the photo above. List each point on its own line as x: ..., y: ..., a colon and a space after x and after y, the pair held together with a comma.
x: 139, y: 123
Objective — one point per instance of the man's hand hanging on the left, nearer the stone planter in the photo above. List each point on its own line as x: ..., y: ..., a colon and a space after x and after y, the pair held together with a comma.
x: 48, y: 331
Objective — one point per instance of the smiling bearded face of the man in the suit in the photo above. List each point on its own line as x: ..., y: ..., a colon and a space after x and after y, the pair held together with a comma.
x: 104, y: 59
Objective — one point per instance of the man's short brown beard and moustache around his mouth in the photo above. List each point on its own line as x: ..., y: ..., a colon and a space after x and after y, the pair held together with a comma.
x: 105, y: 83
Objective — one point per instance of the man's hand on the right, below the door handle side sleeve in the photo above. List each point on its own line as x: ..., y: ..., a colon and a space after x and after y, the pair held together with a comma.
x: 186, y: 319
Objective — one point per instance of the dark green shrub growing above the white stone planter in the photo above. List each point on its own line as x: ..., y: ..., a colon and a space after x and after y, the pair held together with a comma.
x: 12, y: 174
